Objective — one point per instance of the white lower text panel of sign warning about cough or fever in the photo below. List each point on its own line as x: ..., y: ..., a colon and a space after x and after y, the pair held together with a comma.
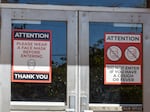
x: 122, y: 74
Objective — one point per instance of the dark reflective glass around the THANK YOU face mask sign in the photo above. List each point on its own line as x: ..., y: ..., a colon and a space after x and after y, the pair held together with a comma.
x: 55, y: 91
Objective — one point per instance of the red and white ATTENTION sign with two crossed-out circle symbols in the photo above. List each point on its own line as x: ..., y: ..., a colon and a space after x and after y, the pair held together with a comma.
x: 122, y: 58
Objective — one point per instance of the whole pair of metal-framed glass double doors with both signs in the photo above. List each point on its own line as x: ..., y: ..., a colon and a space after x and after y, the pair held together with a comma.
x: 78, y: 78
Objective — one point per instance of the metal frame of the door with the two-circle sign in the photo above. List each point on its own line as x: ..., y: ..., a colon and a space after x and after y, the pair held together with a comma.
x: 122, y: 15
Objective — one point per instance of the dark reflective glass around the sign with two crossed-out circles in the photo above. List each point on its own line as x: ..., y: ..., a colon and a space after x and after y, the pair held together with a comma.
x: 99, y: 92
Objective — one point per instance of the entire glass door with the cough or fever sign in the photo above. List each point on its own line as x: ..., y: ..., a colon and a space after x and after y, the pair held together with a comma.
x: 113, y: 53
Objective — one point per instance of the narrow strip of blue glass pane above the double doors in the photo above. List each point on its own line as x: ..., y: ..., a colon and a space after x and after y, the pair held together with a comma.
x: 108, y: 3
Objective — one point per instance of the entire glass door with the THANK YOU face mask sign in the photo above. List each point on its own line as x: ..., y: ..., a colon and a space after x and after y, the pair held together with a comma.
x: 39, y: 48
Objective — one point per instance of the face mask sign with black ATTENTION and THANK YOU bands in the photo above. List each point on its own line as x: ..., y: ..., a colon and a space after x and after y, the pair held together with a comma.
x: 31, y: 56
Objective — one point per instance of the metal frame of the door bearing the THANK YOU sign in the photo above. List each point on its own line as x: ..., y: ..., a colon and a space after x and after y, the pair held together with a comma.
x: 10, y: 12
